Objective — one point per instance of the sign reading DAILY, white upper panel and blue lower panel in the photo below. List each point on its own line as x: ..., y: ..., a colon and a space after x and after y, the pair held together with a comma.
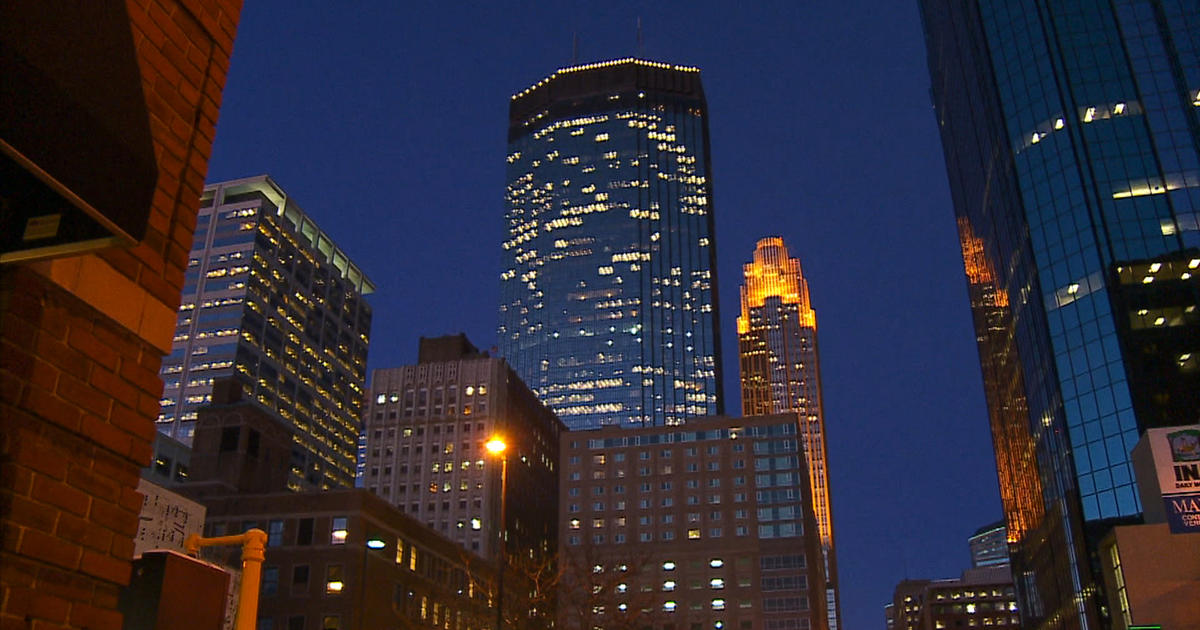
x: 1177, y: 453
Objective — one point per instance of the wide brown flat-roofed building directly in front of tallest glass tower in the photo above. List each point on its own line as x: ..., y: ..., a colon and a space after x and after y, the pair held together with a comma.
x: 703, y: 527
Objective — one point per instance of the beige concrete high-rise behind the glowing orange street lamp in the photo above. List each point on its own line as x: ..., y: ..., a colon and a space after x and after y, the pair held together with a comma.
x: 427, y: 425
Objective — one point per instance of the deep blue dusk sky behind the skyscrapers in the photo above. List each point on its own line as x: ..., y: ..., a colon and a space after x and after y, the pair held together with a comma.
x: 387, y: 124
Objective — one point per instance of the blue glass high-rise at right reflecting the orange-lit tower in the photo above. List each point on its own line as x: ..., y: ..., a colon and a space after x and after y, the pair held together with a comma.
x: 1072, y: 139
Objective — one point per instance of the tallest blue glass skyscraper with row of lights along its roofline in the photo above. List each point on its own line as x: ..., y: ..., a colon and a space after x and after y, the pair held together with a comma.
x: 609, y: 291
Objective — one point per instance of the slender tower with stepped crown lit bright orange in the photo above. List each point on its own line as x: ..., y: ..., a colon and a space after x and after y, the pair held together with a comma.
x: 778, y: 352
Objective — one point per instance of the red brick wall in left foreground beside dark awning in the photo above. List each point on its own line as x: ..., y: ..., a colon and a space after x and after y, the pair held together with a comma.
x: 82, y: 340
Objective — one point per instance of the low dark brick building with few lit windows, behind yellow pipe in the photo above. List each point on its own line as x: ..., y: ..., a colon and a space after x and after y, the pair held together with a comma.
x: 346, y: 559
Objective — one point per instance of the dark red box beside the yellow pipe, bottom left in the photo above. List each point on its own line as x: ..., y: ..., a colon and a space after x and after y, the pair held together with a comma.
x: 171, y: 591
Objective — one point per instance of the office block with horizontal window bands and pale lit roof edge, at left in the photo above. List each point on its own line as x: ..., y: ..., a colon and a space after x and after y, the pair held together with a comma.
x: 271, y: 303
